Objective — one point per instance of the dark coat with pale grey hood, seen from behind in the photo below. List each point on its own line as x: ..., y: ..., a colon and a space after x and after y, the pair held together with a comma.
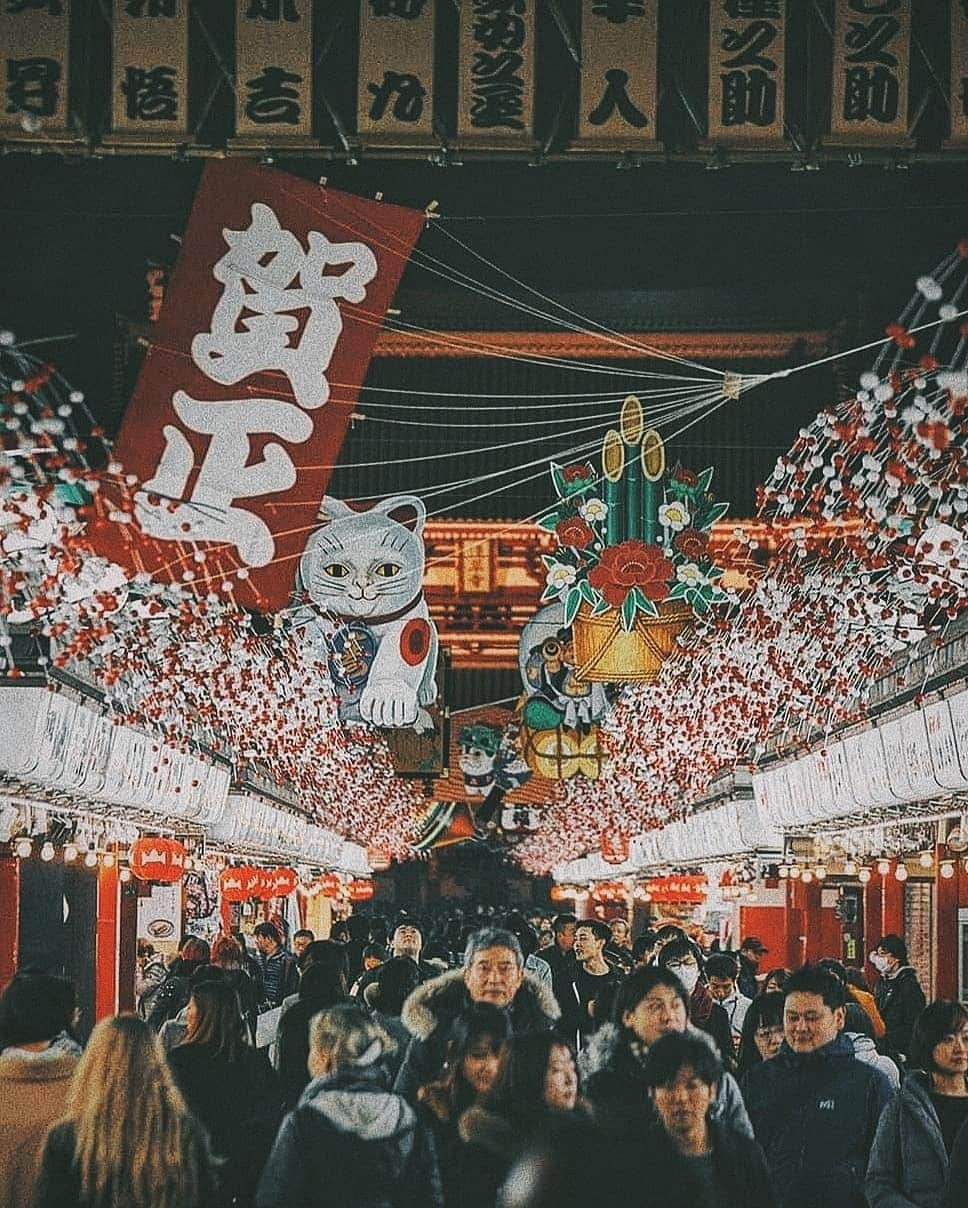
x: 352, y: 1142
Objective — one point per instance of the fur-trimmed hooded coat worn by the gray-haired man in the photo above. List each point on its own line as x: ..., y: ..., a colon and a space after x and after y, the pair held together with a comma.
x: 432, y: 1009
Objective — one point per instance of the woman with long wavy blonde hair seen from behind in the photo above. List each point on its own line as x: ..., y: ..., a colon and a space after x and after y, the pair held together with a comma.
x: 126, y: 1136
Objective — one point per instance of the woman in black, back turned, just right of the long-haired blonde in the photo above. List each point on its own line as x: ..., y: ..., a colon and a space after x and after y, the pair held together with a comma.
x: 230, y: 1087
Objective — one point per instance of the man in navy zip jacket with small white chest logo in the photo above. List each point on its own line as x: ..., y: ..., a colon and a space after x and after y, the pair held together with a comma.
x: 815, y: 1108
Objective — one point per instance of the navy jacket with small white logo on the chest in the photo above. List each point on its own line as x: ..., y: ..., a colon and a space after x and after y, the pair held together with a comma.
x: 816, y: 1117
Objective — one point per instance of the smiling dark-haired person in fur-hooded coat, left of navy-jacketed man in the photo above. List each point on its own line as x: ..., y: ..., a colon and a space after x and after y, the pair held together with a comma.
x: 652, y: 1003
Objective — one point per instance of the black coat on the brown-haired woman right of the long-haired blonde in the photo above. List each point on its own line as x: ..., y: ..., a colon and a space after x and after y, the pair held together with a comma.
x: 240, y: 1104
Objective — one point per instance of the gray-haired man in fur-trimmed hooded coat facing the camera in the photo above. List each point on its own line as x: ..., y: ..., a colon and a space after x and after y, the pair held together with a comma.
x: 494, y: 973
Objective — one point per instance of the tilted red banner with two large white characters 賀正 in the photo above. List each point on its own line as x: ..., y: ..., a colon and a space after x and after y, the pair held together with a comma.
x: 246, y: 394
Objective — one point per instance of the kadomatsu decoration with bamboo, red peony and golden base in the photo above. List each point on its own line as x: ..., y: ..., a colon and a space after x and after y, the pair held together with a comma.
x: 634, y: 565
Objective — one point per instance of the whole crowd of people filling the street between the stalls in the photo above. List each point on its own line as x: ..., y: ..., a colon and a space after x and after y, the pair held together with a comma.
x: 486, y: 1062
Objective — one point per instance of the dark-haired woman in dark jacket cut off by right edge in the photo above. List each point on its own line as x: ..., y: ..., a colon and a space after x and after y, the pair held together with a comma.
x: 909, y: 1164
